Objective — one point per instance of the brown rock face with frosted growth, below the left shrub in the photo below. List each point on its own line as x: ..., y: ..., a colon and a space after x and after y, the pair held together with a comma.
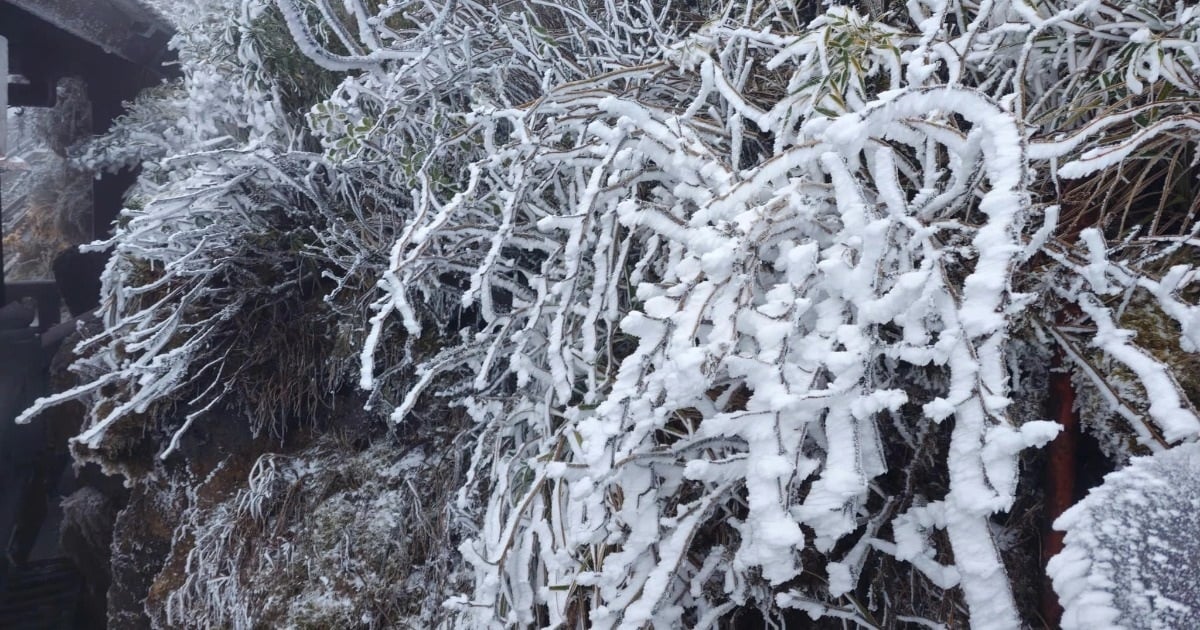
x: 338, y: 529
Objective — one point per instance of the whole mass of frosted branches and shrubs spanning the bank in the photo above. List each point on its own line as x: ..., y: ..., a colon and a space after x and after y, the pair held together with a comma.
x: 751, y: 305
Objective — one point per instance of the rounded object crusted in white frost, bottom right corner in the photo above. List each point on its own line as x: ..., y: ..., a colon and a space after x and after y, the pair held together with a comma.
x: 1132, y: 557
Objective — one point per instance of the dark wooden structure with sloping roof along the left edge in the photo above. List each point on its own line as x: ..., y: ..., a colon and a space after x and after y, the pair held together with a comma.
x: 117, y: 49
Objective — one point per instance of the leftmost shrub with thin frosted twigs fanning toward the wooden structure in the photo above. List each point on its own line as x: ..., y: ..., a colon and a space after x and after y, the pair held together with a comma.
x: 214, y: 256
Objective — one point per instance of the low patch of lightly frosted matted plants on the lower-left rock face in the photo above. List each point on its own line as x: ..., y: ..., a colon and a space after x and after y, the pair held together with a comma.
x: 317, y: 539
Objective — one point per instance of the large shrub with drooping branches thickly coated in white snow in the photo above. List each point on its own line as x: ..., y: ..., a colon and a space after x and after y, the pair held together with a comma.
x: 723, y: 265
